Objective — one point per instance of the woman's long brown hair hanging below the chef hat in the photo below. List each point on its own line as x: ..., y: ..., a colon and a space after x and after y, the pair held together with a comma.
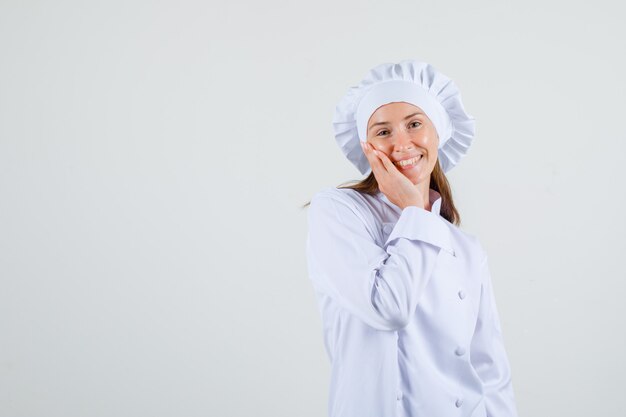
x: 438, y: 182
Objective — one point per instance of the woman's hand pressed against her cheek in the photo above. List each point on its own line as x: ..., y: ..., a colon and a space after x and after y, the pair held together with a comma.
x: 391, y: 182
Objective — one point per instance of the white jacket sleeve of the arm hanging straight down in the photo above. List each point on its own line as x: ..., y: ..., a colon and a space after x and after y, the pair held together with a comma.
x: 488, y: 355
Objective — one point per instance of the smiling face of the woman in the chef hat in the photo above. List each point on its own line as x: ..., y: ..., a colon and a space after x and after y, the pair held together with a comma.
x: 404, y: 133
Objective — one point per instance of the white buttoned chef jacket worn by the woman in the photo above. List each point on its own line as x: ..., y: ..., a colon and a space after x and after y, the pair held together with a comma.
x: 409, y: 317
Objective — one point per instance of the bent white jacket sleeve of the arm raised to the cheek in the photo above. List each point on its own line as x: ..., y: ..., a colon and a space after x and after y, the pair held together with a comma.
x: 380, y: 285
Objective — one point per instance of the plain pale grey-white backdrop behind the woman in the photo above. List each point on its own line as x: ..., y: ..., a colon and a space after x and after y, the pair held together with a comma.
x: 154, y: 157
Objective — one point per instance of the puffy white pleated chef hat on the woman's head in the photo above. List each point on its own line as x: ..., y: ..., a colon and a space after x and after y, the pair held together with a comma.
x: 413, y: 82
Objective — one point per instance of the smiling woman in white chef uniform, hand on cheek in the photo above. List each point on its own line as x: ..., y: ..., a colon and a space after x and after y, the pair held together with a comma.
x: 409, y: 316
